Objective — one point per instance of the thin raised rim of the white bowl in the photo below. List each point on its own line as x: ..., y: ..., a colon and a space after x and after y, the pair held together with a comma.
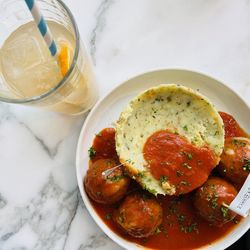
x: 220, y: 243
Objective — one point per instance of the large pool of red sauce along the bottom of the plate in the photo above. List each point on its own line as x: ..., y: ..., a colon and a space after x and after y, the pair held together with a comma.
x: 181, y: 228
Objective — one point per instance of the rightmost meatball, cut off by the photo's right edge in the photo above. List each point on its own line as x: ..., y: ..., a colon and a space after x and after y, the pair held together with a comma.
x: 235, y: 160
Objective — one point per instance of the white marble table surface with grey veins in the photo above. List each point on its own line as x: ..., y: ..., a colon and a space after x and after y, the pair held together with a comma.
x: 40, y: 206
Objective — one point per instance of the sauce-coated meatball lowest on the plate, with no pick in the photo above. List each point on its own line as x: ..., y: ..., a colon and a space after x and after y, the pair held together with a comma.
x: 139, y: 215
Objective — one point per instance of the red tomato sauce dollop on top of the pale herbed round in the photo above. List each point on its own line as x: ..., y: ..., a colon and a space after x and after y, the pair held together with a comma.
x: 172, y: 158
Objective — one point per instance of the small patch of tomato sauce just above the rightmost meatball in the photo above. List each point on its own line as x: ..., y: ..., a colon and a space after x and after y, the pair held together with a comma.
x: 232, y: 128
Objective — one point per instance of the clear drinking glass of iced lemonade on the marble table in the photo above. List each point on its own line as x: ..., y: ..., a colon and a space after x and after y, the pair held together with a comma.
x: 29, y: 74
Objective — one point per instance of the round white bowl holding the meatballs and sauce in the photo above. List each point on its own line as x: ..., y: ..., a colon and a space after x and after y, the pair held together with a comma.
x: 107, y: 111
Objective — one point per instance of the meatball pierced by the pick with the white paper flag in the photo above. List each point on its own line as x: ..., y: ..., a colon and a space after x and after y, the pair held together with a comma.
x: 212, y: 200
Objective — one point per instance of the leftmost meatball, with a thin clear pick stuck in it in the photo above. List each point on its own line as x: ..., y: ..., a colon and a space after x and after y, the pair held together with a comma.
x: 109, y: 188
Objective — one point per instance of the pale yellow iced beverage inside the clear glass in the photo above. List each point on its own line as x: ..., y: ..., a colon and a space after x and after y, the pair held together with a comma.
x: 29, y: 70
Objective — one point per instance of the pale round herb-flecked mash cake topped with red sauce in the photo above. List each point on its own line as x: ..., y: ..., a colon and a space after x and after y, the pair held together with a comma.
x: 175, y: 119
